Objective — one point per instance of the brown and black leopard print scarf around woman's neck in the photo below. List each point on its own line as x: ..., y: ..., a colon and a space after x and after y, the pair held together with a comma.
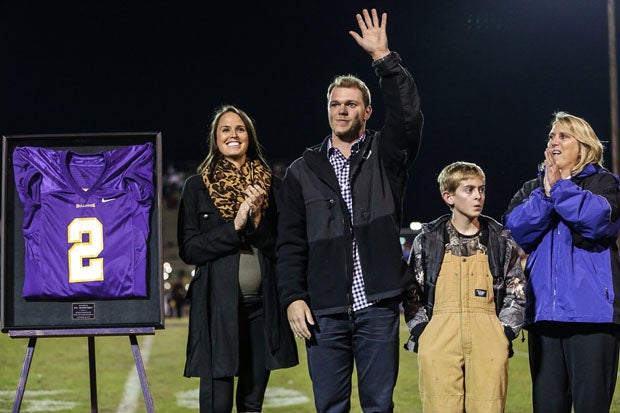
x: 227, y: 184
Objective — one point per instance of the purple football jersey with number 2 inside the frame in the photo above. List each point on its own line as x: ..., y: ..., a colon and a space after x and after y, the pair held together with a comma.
x: 86, y: 221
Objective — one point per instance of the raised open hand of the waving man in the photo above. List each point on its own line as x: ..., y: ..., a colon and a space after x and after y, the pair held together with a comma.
x: 373, y: 38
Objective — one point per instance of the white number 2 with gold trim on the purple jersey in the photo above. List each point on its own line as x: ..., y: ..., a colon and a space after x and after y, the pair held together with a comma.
x: 84, y: 265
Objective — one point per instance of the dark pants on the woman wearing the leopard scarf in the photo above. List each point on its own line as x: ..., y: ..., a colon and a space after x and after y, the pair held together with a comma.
x: 216, y: 395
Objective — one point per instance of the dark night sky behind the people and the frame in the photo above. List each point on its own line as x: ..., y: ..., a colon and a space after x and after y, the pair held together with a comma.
x: 490, y: 75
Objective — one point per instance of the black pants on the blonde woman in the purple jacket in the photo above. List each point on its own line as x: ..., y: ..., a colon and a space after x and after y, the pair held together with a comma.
x: 573, y: 364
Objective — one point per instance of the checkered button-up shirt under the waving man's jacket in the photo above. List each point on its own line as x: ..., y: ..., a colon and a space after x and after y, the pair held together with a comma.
x: 341, y: 166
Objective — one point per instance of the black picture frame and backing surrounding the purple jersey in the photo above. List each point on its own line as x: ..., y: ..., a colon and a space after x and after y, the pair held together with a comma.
x: 16, y: 313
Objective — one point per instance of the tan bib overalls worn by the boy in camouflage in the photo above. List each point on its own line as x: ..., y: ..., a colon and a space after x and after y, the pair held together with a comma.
x: 463, y: 351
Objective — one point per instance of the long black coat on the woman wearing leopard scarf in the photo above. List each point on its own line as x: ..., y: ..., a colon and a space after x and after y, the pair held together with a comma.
x: 206, y: 240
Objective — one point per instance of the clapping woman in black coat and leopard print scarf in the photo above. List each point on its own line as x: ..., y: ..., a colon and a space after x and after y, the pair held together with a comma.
x: 227, y: 228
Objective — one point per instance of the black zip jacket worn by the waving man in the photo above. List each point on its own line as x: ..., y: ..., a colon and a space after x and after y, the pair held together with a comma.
x: 314, y: 244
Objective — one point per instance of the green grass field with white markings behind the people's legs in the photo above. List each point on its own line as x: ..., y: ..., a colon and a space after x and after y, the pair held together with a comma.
x: 59, y: 377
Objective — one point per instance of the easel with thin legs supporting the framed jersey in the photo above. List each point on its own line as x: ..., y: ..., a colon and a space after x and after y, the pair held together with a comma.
x: 91, y: 333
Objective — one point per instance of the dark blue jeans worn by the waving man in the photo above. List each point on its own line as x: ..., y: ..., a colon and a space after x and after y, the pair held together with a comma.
x: 368, y: 338
